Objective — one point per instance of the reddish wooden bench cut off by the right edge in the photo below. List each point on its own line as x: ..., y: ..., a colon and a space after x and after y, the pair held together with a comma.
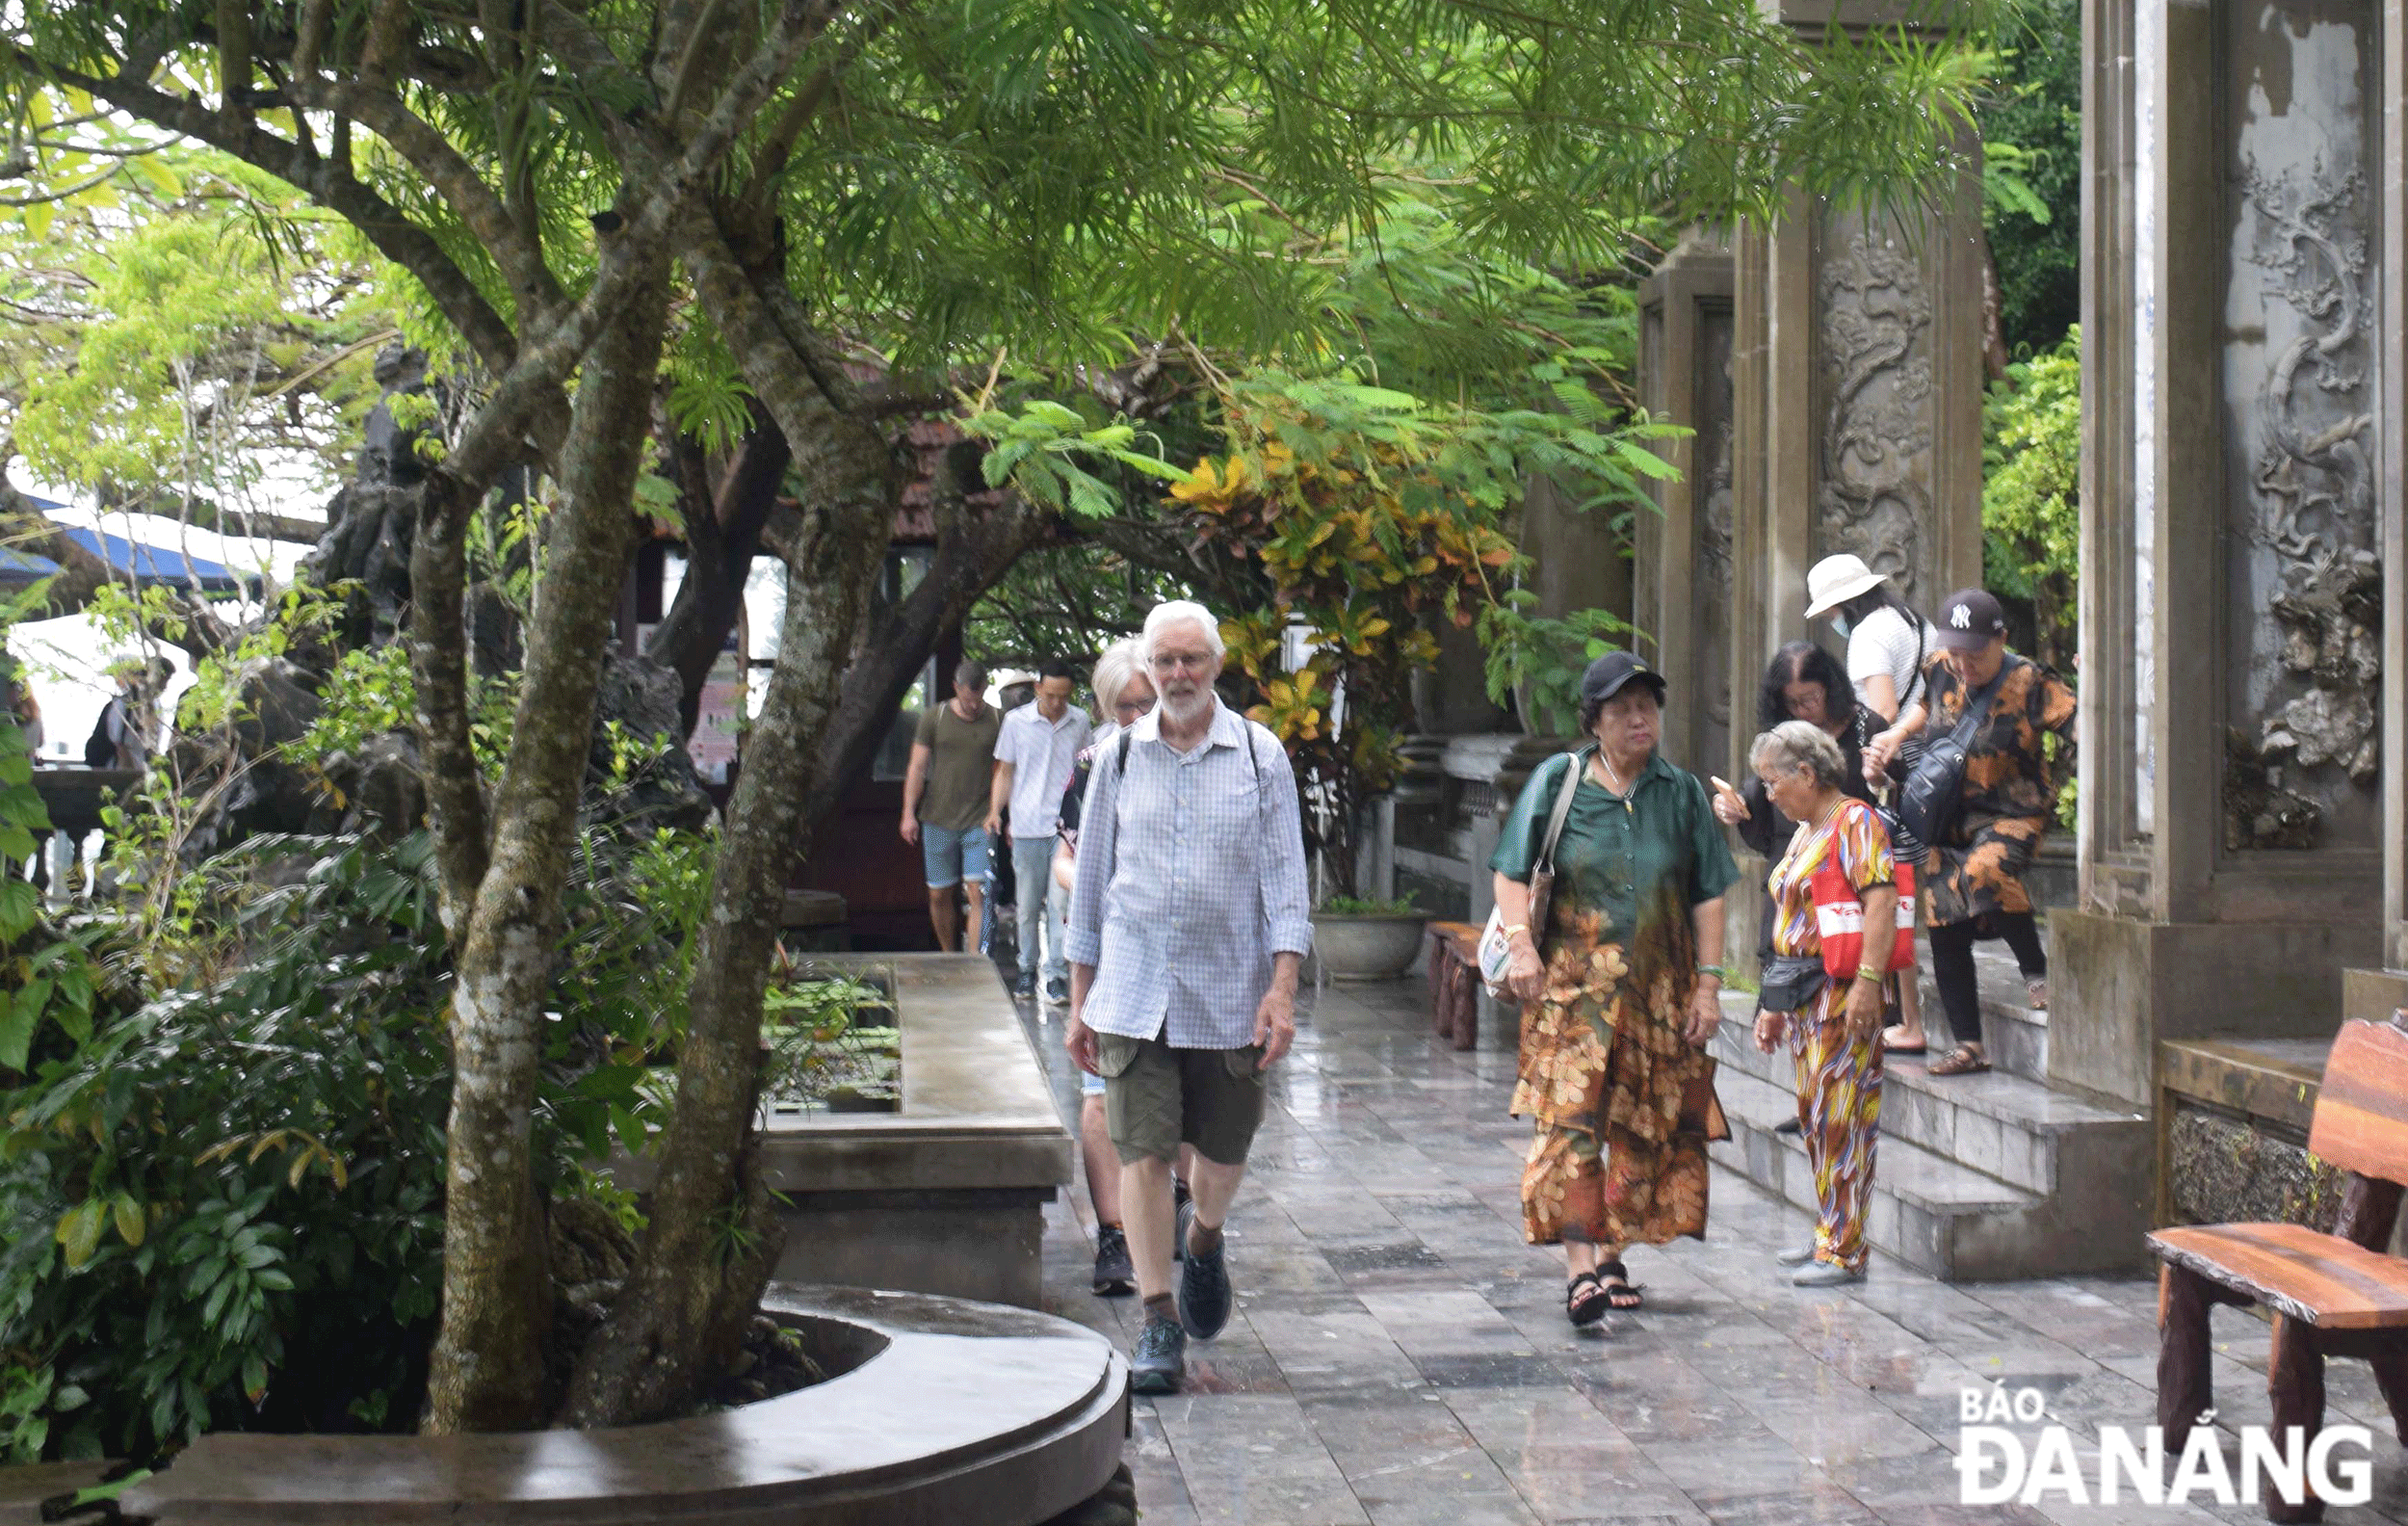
x: 2330, y: 1296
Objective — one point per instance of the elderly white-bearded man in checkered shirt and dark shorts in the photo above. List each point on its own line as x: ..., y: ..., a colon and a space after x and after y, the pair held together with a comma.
x: 1186, y: 938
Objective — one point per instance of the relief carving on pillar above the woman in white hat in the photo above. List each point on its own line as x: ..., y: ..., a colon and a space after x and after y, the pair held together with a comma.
x: 1877, y: 420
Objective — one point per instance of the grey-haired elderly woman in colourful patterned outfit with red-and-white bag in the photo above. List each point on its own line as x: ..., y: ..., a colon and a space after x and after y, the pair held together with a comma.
x: 1836, y: 1036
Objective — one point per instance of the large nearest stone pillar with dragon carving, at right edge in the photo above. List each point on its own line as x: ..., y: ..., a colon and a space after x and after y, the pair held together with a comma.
x: 2233, y: 771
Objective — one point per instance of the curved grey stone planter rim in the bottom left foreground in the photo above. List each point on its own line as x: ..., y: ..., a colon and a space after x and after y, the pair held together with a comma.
x: 940, y: 1412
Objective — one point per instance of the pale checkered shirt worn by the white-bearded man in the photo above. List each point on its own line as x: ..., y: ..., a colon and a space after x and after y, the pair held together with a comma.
x: 1191, y: 880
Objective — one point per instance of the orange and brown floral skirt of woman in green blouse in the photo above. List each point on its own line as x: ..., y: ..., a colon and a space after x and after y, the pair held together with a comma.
x: 1607, y: 1077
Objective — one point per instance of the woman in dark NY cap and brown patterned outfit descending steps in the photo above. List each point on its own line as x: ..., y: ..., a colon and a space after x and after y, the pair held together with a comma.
x: 1973, y: 880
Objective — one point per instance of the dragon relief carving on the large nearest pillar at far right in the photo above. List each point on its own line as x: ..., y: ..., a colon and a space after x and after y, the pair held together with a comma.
x: 2313, y: 487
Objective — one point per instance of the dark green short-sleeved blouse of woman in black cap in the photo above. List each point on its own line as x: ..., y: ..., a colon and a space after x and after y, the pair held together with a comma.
x: 1615, y: 858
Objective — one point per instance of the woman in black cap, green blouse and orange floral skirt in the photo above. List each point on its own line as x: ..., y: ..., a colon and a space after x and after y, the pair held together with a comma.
x: 1619, y: 988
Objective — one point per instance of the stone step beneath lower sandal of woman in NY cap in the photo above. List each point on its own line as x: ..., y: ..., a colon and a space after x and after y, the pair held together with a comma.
x: 2002, y: 1125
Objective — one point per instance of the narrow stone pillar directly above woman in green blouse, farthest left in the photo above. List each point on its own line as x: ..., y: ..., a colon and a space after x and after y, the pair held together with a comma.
x: 1682, y: 567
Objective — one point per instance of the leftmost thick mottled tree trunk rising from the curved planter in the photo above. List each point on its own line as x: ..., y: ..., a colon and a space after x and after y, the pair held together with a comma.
x: 488, y: 1366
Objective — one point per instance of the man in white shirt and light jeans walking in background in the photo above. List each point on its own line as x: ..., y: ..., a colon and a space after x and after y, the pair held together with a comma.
x: 1034, y: 759
